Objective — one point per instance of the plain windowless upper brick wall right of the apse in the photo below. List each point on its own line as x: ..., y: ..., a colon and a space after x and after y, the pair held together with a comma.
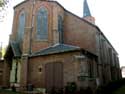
x: 79, y: 33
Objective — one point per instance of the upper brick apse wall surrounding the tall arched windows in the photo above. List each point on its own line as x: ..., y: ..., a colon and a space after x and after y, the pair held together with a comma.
x: 53, y: 11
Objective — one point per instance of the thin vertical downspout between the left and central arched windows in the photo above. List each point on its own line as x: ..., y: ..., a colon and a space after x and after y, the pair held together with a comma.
x: 32, y: 24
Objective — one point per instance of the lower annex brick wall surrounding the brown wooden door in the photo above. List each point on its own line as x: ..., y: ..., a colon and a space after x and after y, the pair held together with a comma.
x: 69, y: 68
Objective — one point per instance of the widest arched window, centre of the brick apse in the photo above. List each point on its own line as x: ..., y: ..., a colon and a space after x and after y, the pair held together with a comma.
x: 42, y: 24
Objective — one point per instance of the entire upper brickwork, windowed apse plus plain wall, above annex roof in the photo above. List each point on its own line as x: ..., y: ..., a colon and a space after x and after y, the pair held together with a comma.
x: 76, y: 31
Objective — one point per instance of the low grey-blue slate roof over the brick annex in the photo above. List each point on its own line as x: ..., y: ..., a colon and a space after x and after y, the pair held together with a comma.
x: 58, y: 48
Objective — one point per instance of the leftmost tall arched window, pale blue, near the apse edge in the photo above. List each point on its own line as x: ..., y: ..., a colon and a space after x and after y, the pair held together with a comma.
x: 21, y: 27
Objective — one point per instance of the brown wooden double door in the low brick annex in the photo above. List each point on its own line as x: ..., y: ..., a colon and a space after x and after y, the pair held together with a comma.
x: 54, y: 75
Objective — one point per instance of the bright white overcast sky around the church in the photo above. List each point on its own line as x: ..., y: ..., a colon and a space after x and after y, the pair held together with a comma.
x: 109, y: 15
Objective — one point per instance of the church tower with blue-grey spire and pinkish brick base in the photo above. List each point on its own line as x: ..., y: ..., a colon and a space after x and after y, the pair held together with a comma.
x: 87, y: 14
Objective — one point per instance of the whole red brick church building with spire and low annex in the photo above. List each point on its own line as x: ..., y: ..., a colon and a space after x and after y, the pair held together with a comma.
x: 49, y: 47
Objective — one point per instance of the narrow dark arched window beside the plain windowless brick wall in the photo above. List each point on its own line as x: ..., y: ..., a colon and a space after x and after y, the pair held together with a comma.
x: 60, y: 29
